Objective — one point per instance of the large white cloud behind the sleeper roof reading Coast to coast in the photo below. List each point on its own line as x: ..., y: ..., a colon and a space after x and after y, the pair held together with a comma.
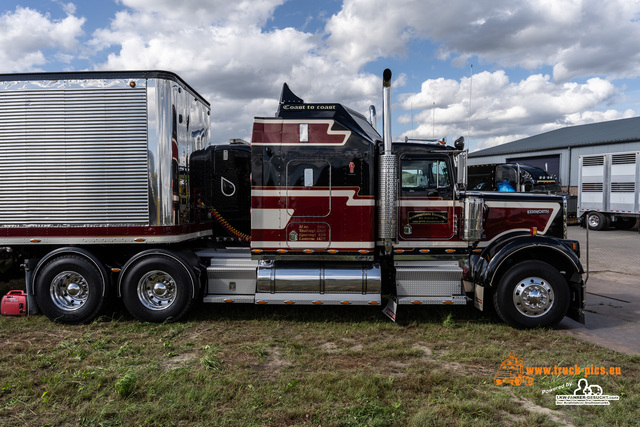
x: 233, y: 62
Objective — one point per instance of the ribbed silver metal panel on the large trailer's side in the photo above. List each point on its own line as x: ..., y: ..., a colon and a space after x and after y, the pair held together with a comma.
x: 73, y: 157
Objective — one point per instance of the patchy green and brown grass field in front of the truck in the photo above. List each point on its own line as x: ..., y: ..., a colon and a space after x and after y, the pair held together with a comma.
x: 254, y: 365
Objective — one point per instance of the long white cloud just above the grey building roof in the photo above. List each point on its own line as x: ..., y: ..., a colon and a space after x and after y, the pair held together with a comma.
x: 501, y: 110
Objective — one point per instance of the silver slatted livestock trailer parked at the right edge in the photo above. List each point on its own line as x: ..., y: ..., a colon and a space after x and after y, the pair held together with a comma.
x: 609, y: 190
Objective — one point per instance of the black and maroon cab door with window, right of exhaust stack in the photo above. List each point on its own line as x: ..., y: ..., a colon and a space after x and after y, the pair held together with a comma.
x: 426, y: 202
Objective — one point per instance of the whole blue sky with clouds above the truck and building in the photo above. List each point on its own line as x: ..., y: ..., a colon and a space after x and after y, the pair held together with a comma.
x: 537, y: 64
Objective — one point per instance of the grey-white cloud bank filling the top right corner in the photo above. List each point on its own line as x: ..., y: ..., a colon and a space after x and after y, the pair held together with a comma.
x: 575, y: 37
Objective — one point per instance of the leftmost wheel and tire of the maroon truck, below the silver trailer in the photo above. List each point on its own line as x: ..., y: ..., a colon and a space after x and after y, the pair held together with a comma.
x: 70, y: 289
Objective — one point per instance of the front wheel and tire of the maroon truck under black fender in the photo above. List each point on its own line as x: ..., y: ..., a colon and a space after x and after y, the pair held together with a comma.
x: 532, y: 294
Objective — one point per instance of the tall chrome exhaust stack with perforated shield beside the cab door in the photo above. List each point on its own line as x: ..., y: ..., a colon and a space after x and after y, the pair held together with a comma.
x: 388, y: 188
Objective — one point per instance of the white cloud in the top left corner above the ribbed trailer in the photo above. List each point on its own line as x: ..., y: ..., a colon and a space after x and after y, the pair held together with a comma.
x: 26, y: 34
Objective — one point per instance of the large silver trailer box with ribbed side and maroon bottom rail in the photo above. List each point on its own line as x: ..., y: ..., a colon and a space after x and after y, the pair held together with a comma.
x: 99, y: 158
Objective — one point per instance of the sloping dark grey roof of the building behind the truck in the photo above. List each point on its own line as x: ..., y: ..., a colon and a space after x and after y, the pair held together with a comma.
x: 614, y: 131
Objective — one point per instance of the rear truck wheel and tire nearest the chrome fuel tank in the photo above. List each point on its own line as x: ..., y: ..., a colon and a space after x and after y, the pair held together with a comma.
x: 157, y: 289
